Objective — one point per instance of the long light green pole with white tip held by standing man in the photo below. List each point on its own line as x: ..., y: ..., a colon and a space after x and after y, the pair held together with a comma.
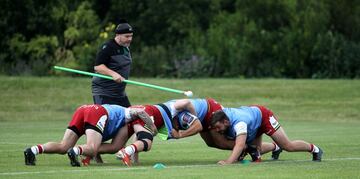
x: 186, y: 93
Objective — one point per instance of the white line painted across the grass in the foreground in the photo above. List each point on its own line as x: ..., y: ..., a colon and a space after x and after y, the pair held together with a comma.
x: 145, y: 168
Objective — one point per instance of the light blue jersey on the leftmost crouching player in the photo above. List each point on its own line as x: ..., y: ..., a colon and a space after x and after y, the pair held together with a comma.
x: 115, y: 121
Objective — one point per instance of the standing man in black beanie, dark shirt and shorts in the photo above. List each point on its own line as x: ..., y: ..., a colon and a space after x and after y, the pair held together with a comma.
x: 113, y: 59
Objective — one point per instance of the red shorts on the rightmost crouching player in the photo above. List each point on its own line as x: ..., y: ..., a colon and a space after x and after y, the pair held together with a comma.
x: 269, y: 123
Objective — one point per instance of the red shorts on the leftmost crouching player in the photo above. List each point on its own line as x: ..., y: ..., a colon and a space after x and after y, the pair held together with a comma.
x: 88, y: 117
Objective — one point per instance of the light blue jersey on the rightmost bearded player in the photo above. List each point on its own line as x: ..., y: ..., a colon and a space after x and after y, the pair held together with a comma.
x: 251, y: 116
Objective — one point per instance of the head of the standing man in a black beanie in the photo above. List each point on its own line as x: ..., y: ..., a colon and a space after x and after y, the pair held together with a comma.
x: 124, y: 33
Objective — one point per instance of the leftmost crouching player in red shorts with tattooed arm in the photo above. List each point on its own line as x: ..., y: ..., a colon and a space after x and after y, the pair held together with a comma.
x: 98, y: 122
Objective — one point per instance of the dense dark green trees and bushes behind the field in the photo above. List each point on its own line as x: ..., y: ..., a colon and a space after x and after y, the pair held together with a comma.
x: 195, y: 38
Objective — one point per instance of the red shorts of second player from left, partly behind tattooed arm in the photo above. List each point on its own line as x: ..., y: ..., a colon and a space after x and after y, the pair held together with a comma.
x: 153, y: 112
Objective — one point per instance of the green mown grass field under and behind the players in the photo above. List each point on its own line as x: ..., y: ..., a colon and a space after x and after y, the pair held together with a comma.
x: 325, y: 112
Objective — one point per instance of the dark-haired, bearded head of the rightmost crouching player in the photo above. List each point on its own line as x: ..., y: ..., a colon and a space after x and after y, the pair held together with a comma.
x: 219, y: 121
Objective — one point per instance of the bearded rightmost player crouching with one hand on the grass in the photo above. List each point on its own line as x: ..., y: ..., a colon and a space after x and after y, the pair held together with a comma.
x: 245, y: 125
